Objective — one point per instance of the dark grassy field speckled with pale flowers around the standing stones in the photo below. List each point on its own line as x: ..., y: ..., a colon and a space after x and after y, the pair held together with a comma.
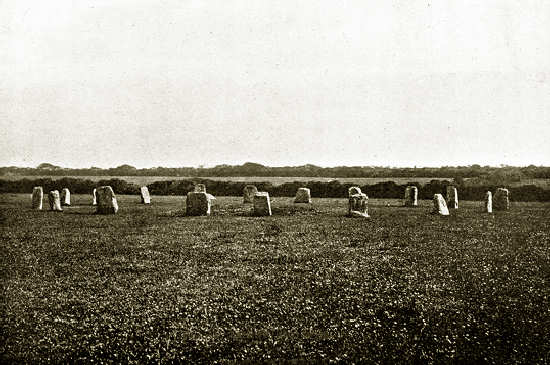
x: 151, y: 285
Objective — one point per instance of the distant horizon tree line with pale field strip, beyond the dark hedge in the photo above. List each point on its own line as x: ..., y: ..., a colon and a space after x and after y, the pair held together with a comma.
x: 486, y: 174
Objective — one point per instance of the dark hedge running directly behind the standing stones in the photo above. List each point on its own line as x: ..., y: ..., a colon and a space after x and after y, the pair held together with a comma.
x: 319, y: 189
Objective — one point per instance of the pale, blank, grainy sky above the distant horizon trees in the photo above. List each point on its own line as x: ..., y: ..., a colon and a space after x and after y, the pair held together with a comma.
x: 359, y: 83
